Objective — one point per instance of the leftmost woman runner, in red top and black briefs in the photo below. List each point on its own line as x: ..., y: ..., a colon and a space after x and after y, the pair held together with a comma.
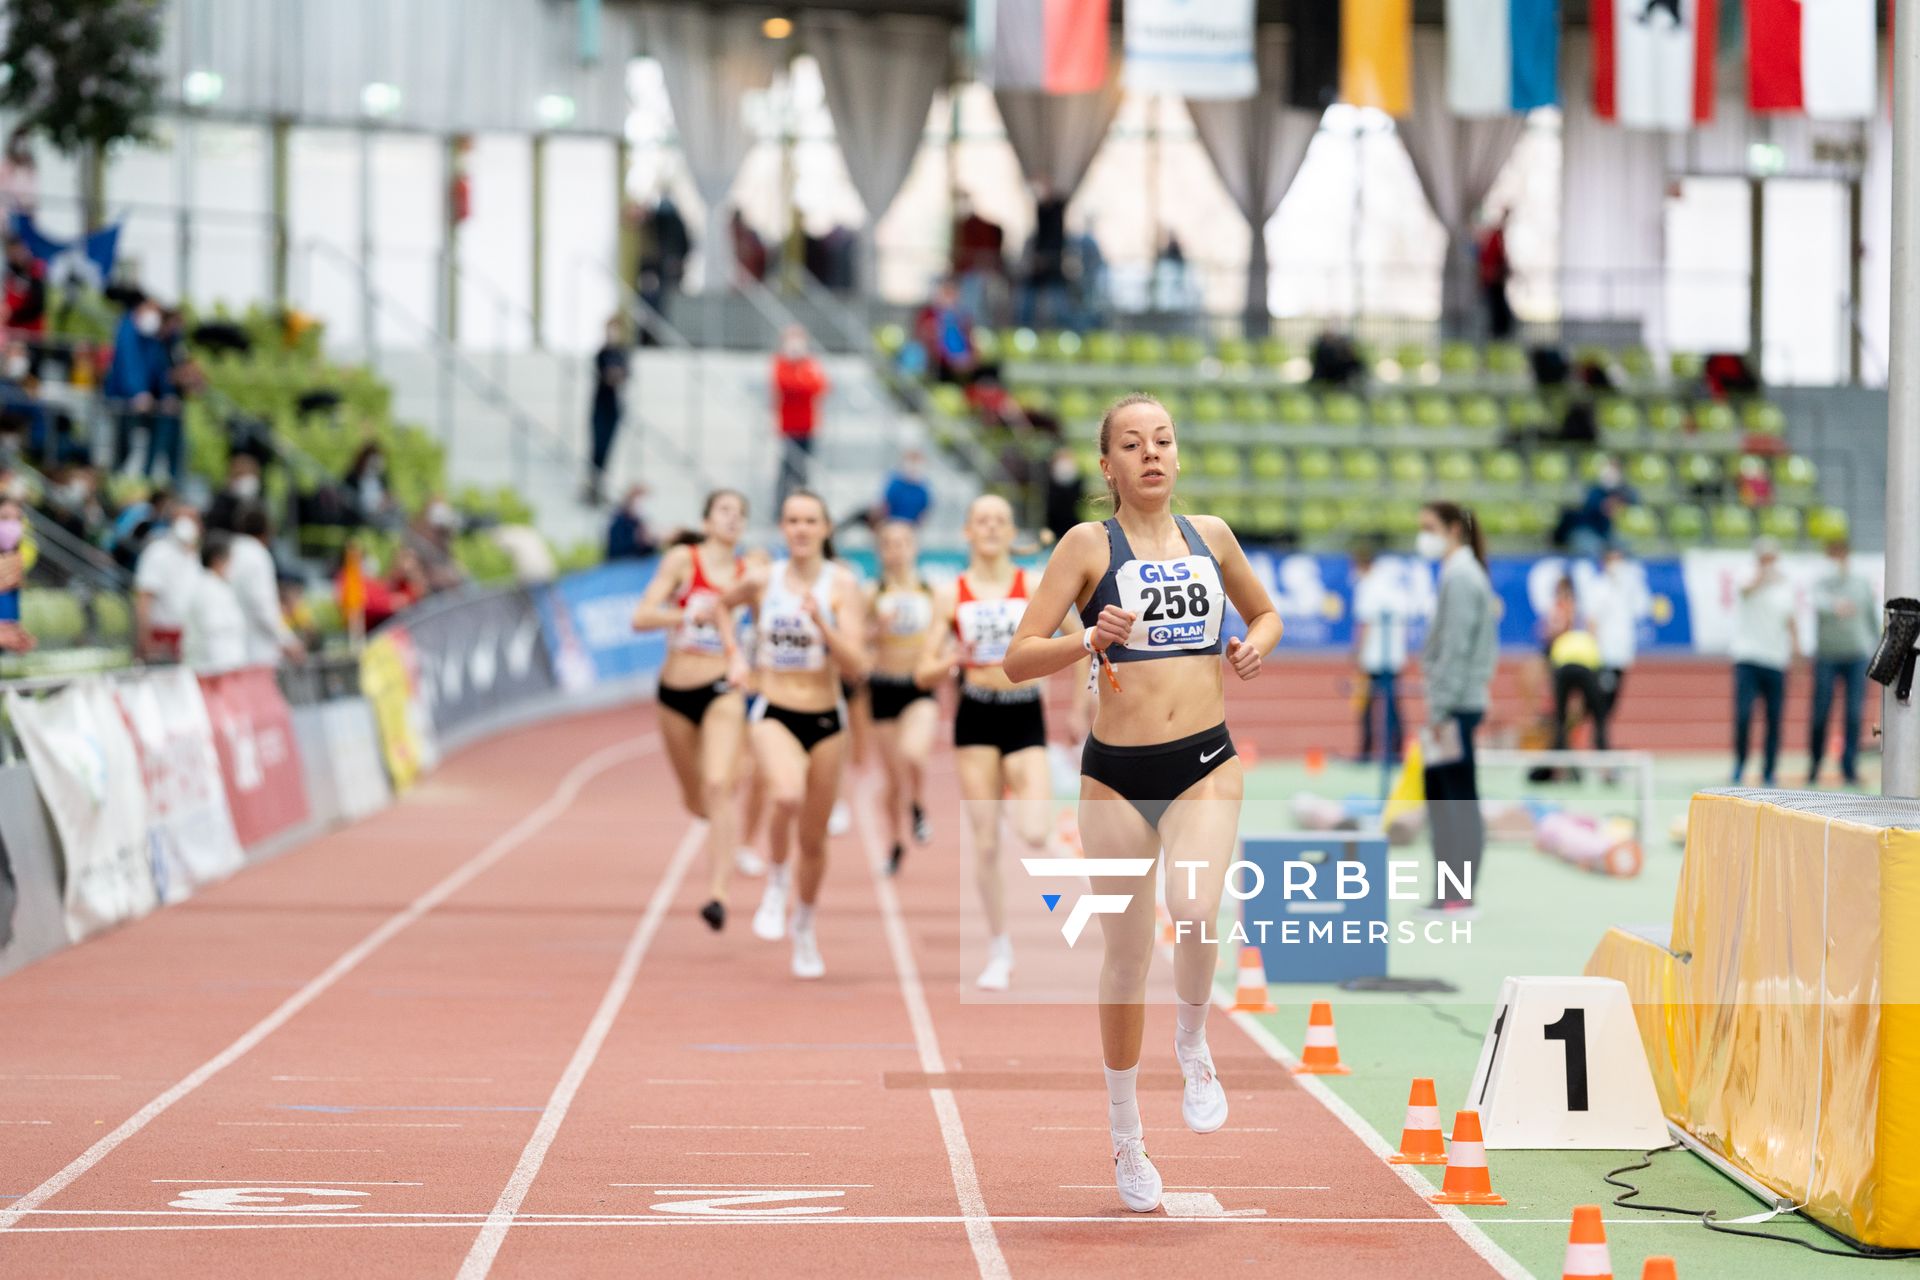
x: 702, y: 682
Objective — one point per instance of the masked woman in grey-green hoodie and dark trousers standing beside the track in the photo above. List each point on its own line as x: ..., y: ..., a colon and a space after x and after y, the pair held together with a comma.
x: 1458, y: 663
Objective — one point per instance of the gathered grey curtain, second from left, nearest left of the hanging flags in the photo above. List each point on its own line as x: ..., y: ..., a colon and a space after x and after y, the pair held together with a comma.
x: 880, y: 80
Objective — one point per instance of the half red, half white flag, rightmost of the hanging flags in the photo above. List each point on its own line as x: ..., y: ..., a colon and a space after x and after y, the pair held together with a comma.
x: 1812, y: 57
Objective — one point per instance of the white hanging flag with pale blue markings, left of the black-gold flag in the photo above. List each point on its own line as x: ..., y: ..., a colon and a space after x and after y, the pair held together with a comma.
x: 1195, y: 51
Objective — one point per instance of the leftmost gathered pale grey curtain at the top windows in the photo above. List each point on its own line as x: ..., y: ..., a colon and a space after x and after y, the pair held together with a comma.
x: 711, y: 60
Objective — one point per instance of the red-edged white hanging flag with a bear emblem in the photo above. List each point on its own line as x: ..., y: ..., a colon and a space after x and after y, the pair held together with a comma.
x: 1654, y: 62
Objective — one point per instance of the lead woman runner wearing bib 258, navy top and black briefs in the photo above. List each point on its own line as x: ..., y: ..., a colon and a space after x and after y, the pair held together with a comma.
x: 1159, y: 769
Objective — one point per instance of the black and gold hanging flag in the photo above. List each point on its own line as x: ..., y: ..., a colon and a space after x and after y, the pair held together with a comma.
x: 1355, y: 51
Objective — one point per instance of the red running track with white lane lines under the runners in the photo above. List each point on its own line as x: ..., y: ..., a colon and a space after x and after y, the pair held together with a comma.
x: 483, y: 1033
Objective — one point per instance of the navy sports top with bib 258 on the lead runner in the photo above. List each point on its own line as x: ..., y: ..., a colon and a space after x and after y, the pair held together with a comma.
x: 1178, y: 605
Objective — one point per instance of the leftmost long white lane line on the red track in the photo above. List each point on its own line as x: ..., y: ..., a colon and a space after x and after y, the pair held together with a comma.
x: 564, y: 797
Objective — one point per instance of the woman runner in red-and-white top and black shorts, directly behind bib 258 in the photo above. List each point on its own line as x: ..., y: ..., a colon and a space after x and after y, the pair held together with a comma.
x: 999, y: 724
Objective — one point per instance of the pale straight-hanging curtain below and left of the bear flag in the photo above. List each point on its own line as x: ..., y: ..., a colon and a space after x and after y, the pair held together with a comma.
x: 1614, y: 208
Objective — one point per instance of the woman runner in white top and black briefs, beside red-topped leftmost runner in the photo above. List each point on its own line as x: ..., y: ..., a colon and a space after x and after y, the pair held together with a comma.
x: 809, y: 634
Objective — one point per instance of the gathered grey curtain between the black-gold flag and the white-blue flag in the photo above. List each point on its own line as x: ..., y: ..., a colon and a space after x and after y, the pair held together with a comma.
x: 1456, y: 160
